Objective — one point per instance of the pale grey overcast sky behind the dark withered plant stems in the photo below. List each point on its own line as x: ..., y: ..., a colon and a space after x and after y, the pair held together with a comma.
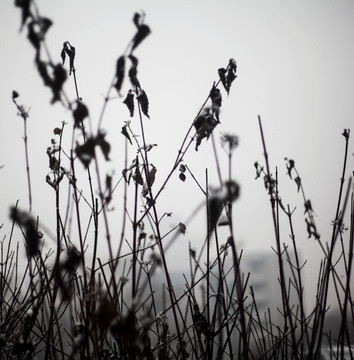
x: 295, y: 69
